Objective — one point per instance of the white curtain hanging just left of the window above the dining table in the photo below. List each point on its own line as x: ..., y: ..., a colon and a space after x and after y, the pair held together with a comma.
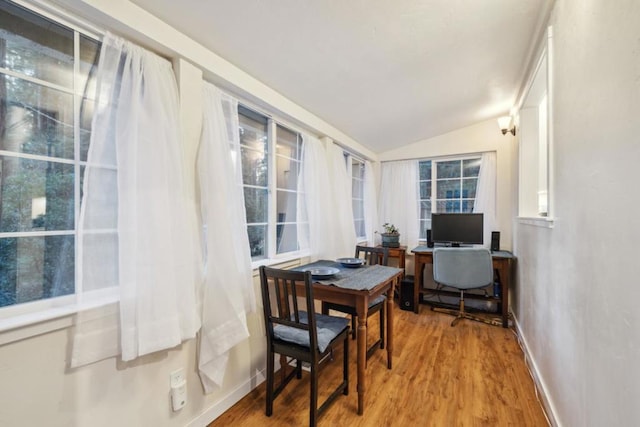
x: 228, y: 294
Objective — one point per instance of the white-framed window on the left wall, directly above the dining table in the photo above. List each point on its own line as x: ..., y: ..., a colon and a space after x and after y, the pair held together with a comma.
x: 271, y: 158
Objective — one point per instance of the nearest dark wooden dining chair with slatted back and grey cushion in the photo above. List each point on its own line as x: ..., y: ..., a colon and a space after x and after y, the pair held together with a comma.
x: 301, y: 334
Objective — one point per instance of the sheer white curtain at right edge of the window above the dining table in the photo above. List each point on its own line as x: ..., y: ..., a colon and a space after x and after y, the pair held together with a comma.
x: 315, y: 221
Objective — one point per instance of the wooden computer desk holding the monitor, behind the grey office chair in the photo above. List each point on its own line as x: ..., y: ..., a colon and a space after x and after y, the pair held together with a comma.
x: 502, y: 261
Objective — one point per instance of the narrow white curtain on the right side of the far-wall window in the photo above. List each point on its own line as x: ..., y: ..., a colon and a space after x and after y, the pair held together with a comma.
x: 486, y: 194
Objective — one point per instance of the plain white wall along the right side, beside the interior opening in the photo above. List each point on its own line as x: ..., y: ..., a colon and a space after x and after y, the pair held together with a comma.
x: 577, y: 297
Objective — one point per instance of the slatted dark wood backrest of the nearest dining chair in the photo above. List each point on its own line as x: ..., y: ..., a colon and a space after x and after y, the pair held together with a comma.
x: 281, y: 305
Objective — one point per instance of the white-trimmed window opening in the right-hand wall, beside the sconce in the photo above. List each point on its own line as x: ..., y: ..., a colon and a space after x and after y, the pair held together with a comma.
x: 533, y: 135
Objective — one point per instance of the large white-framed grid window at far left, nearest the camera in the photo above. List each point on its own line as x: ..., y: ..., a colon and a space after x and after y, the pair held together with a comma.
x: 46, y: 71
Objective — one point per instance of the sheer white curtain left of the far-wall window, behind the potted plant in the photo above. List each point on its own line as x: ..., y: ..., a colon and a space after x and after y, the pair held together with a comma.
x: 399, y: 199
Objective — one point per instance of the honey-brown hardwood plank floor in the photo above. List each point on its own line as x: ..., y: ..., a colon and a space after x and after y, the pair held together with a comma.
x: 472, y: 374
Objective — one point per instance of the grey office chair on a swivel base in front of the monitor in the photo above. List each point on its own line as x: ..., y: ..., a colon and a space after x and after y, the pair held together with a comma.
x: 463, y: 269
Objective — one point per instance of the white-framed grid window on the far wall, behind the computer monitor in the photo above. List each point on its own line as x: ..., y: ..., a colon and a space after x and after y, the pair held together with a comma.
x: 447, y: 185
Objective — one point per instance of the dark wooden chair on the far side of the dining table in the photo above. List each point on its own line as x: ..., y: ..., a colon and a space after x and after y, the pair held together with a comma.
x: 372, y: 256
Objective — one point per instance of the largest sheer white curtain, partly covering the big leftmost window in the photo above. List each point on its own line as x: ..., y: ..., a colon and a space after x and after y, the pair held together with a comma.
x: 135, y: 229
